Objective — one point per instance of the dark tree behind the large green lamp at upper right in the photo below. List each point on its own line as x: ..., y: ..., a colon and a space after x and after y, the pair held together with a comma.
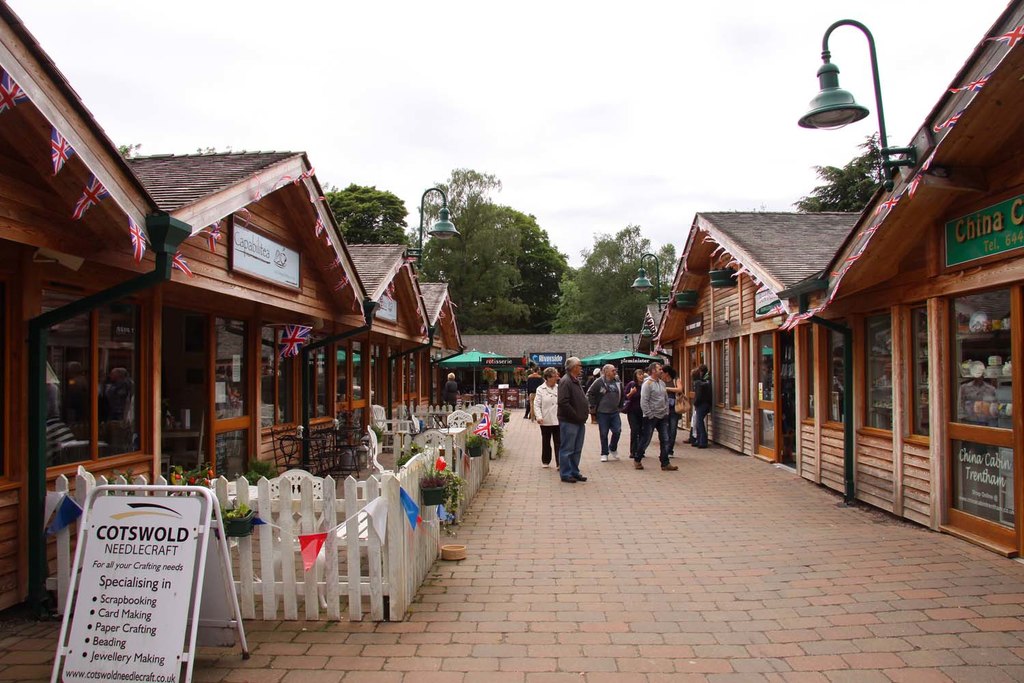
x: 847, y: 189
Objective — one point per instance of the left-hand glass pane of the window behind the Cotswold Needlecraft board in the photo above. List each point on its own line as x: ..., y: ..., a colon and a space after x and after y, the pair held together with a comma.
x: 69, y: 397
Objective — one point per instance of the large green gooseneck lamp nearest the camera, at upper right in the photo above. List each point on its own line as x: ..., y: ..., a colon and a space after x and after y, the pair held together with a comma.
x: 835, y: 108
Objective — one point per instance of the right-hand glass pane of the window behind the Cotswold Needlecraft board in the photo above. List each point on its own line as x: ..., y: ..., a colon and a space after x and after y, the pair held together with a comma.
x: 119, y: 359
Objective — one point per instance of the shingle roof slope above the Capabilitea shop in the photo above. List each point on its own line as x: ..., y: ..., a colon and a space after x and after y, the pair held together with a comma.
x: 178, y: 181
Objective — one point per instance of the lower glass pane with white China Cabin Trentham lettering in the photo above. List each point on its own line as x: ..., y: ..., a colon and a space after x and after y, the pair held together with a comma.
x: 984, y: 482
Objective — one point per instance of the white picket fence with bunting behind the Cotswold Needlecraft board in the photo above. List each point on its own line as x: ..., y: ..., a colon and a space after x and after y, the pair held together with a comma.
x: 356, y: 569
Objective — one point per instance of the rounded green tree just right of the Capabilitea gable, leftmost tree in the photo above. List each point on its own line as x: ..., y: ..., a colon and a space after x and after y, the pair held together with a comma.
x: 368, y: 216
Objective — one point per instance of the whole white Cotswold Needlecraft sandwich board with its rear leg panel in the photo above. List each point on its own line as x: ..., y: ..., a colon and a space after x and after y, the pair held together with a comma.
x: 144, y: 587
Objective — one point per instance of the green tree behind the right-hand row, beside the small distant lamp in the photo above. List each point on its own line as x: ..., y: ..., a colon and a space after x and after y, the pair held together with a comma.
x: 600, y: 297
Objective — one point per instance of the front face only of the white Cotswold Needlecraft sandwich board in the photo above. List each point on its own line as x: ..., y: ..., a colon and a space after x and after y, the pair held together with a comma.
x: 134, y: 597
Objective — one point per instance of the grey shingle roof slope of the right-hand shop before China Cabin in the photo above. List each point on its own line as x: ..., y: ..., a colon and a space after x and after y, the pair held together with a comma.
x: 790, y: 247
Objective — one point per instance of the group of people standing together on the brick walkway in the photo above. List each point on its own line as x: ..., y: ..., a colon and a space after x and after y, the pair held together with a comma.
x: 654, y: 402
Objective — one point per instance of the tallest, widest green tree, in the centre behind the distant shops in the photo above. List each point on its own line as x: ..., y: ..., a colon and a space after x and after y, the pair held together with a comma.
x: 503, y: 274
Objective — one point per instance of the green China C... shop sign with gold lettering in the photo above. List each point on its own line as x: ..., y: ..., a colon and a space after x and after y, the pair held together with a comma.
x: 995, y: 230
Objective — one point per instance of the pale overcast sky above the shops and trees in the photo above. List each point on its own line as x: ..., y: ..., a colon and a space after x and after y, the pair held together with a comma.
x: 594, y: 115
